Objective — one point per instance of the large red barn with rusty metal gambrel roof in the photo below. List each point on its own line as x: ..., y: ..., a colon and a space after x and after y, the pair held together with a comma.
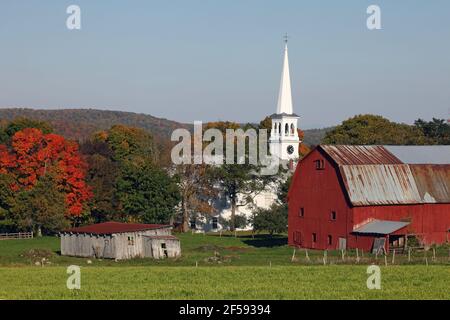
x: 370, y: 196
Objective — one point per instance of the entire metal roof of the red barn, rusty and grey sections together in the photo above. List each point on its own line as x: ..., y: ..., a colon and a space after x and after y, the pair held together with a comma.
x: 388, y: 175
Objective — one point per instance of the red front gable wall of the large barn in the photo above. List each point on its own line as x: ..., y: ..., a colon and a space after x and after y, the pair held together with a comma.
x: 318, y: 192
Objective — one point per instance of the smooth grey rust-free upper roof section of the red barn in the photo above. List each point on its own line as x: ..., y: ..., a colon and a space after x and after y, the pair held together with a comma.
x: 421, y: 154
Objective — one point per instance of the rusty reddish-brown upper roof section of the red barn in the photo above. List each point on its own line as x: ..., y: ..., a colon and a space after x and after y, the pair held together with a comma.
x: 356, y: 155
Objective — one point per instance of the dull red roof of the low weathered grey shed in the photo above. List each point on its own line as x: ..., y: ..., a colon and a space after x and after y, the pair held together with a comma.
x: 115, y: 227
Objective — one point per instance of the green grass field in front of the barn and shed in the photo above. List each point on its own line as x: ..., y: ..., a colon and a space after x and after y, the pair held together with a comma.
x: 228, y: 268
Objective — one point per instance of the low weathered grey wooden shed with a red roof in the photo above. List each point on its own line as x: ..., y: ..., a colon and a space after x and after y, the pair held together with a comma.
x: 121, y: 241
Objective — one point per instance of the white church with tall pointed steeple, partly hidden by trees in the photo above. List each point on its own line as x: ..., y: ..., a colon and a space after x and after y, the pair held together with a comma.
x: 283, y: 143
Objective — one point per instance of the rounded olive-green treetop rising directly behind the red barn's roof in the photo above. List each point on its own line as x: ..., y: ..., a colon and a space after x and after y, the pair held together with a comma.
x: 374, y: 130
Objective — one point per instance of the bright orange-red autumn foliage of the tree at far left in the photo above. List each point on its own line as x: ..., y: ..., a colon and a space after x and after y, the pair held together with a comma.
x: 33, y: 154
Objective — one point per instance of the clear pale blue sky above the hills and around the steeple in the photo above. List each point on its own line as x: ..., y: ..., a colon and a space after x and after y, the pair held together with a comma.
x: 221, y: 60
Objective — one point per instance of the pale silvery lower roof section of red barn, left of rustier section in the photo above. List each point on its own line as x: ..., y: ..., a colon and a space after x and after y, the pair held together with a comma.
x: 380, y: 184
